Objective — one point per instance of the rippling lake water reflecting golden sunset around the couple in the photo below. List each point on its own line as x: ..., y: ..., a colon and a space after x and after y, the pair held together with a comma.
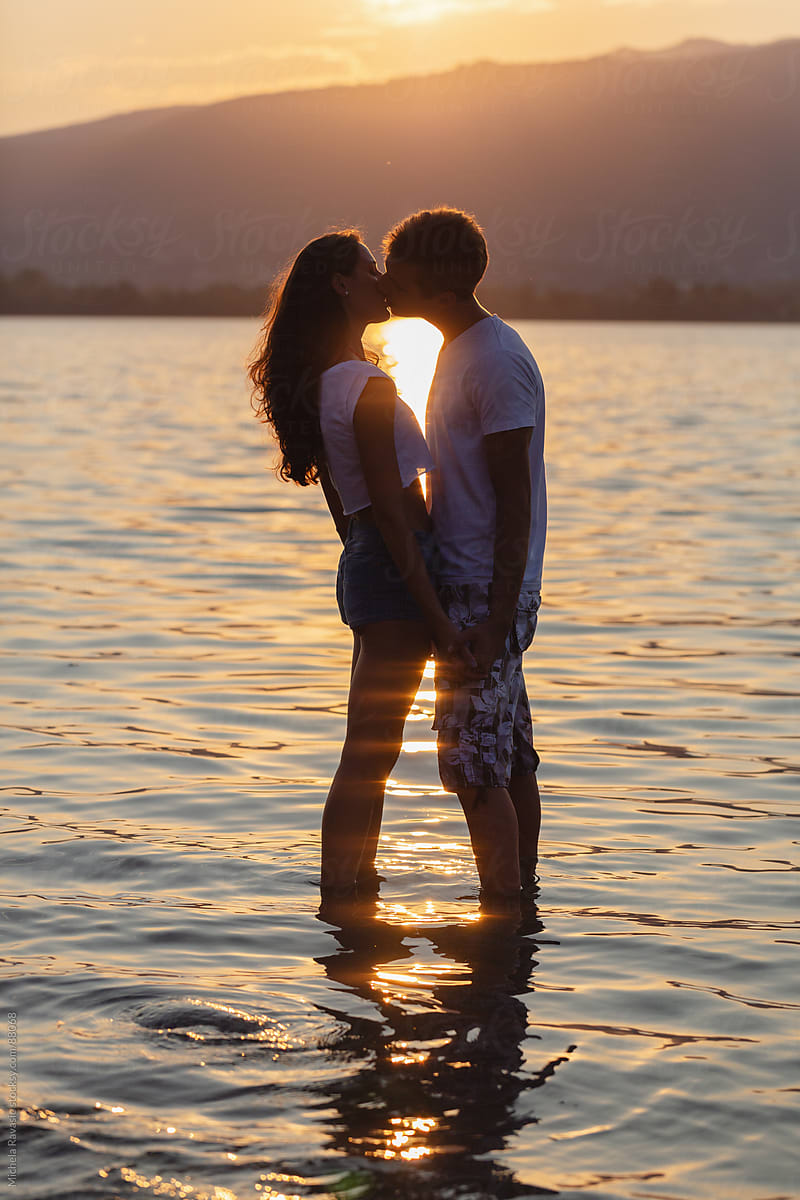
x: 176, y: 677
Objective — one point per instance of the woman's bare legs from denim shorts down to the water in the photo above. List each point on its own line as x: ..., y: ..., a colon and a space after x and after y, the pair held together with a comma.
x: 387, y: 675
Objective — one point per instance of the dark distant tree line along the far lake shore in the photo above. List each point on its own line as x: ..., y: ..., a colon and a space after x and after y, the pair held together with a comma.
x: 32, y: 292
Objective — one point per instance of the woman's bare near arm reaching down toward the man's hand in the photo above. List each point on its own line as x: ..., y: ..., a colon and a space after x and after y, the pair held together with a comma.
x: 374, y: 424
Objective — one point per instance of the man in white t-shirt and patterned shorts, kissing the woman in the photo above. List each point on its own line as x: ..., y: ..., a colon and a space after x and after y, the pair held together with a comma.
x: 485, y: 429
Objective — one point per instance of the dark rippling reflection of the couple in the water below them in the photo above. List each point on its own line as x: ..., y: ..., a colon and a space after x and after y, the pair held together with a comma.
x: 431, y: 1055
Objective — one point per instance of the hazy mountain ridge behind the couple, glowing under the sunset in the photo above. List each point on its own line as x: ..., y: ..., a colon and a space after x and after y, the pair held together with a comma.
x: 587, y: 172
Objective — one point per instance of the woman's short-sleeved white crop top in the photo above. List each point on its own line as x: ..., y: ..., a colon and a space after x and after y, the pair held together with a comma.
x: 340, y: 391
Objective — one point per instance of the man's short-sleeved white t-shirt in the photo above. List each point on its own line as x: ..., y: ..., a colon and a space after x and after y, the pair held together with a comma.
x: 486, y: 381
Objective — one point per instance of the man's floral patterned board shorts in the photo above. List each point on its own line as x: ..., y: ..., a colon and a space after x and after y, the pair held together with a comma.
x: 485, y: 730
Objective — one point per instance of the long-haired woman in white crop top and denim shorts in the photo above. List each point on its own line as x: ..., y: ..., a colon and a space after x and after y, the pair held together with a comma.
x: 340, y: 423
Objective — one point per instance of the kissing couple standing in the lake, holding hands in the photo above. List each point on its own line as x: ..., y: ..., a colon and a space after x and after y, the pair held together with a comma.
x: 461, y: 575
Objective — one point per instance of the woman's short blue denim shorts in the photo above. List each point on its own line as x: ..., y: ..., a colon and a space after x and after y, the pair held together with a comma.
x: 370, y: 586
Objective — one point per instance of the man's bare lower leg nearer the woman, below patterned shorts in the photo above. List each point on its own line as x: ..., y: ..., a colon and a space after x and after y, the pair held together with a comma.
x: 495, y: 835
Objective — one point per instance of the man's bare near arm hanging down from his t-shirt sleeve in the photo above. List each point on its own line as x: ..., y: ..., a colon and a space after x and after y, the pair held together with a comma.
x: 509, y: 466
